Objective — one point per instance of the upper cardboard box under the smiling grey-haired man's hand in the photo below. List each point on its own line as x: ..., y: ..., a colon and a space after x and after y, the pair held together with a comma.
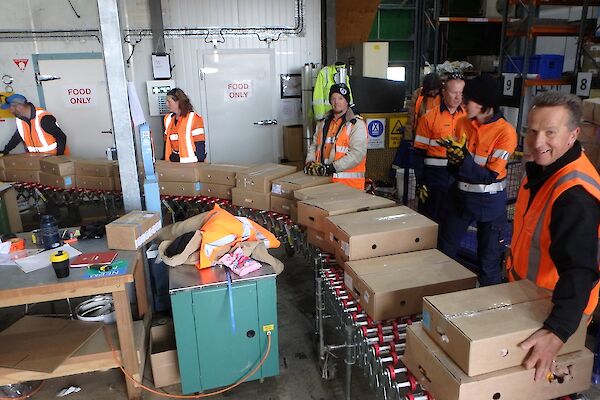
x: 480, y: 329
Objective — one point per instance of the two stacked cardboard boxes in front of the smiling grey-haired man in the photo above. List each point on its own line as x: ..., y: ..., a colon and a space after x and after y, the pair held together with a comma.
x: 467, y: 346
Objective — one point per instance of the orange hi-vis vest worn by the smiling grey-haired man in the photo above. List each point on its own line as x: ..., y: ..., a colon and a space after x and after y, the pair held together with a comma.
x: 530, y: 247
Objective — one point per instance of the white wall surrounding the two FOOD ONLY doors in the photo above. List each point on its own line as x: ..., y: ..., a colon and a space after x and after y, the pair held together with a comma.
x: 291, y: 52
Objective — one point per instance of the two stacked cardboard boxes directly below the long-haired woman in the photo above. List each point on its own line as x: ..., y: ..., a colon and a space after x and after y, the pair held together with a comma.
x: 178, y: 179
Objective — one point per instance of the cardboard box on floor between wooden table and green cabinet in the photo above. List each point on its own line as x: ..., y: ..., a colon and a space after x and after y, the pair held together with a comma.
x: 163, y: 355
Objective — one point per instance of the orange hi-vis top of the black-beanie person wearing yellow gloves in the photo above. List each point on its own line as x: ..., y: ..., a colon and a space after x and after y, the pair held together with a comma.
x: 490, y: 144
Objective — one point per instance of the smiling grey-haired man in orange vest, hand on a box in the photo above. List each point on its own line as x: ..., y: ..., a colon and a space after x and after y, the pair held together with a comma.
x: 555, y: 233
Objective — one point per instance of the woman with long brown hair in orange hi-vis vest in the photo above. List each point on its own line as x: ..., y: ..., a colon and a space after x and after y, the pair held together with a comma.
x: 184, y: 130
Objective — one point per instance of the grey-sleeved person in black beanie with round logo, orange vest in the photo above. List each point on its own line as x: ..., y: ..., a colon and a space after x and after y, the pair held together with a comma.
x: 339, y: 145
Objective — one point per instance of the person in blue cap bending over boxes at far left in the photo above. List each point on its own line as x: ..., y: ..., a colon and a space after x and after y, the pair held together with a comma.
x: 36, y: 128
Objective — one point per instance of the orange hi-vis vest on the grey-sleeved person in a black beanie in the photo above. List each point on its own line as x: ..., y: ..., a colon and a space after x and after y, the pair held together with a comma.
x: 338, y: 134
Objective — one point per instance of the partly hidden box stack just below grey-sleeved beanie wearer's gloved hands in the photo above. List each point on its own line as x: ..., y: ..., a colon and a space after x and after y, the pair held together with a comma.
x: 283, y: 189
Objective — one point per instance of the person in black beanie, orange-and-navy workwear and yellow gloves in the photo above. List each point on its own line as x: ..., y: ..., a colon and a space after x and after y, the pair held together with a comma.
x: 478, y: 162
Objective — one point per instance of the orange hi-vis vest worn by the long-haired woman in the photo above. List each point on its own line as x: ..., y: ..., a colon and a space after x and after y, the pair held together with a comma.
x: 181, y: 137
